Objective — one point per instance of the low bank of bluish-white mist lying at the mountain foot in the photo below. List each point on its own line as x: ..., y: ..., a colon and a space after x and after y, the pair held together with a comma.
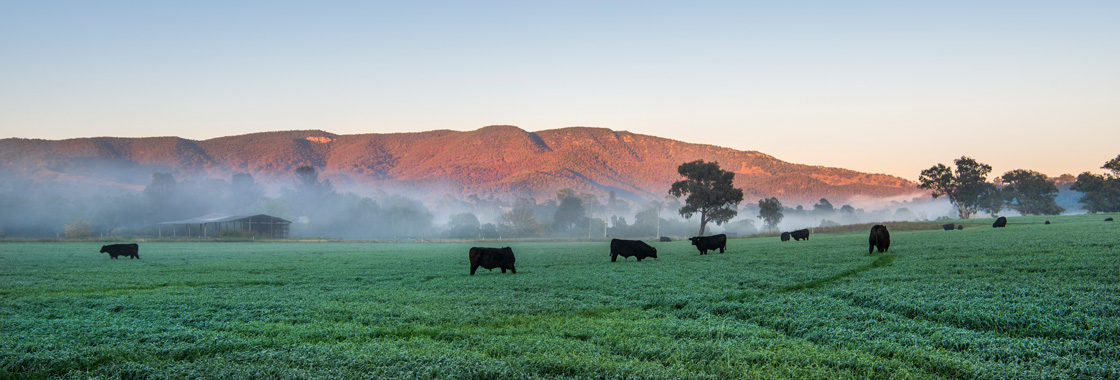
x: 44, y: 209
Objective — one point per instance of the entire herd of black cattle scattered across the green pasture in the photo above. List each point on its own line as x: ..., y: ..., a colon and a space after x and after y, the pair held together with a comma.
x: 490, y: 258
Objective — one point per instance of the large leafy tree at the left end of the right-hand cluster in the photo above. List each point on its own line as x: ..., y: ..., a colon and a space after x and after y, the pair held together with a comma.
x: 967, y: 189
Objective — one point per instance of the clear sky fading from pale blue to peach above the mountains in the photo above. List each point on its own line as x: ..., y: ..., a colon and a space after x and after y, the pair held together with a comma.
x: 881, y: 87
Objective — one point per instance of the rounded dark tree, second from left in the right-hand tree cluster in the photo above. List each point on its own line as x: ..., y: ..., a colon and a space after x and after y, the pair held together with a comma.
x: 1031, y: 193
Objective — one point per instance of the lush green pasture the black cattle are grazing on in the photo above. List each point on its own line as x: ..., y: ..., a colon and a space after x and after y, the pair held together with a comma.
x: 1026, y: 302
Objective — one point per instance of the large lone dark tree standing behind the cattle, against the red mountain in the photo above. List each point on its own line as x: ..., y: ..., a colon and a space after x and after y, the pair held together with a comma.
x: 711, y: 192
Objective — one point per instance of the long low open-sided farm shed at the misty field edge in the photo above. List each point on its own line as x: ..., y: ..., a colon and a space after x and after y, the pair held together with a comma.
x: 213, y: 225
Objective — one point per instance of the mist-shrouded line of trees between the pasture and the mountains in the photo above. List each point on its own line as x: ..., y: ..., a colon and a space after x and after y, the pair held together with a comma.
x: 318, y: 209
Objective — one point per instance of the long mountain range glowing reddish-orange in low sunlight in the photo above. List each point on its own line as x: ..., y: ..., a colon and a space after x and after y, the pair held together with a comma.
x: 500, y: 161
